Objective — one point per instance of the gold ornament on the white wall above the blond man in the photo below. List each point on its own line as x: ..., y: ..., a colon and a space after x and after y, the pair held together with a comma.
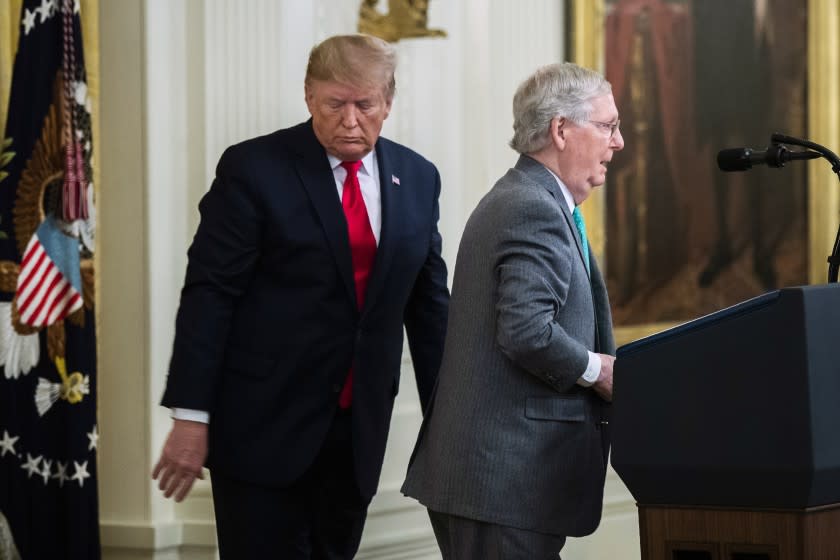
x: 405, y: 19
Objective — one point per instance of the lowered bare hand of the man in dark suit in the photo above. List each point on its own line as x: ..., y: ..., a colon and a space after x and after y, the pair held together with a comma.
x: 182, y: 458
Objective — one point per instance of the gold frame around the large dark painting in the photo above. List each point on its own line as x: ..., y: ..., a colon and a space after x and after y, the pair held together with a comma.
x: 587, y: 48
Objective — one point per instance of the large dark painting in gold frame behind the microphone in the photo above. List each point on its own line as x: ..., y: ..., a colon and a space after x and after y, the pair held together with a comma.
x: 679, y: 238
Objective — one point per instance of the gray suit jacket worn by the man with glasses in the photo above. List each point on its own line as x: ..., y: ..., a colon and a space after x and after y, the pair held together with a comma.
x: 511, y: 439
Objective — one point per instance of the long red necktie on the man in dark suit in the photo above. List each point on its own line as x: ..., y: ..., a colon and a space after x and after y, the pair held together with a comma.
x: 362, y: 249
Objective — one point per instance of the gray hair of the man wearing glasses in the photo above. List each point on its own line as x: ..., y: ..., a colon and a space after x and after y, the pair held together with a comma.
x: 556, y: 90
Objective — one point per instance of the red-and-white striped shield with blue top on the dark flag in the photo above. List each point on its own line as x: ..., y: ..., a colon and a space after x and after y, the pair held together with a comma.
x: 49, y: 285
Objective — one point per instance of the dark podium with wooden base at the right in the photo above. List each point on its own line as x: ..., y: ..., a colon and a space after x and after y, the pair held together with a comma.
x: 726, y: 430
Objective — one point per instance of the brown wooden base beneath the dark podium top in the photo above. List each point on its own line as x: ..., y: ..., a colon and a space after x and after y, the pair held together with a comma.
x: 693, y: 533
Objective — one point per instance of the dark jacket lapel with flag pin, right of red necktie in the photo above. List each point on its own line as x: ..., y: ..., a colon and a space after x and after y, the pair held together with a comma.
x: 392, y: 207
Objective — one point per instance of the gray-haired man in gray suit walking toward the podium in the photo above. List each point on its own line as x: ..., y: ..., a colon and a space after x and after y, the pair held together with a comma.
x: 512, y: 456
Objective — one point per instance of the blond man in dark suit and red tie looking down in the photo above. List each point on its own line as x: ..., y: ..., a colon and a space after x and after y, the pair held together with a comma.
x: 317, y: 244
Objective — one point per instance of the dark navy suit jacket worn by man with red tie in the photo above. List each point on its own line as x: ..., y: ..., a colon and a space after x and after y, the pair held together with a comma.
x: 268, y: 324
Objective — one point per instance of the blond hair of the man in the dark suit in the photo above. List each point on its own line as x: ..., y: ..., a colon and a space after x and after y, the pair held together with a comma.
x: 357, y: 60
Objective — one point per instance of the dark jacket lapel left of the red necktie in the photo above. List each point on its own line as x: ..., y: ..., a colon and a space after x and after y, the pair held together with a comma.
x: 317, y: 178
